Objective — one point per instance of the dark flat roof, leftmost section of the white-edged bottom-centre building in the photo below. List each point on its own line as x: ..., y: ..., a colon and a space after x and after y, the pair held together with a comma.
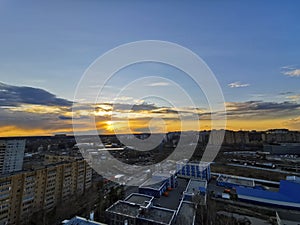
x: 125, y: 208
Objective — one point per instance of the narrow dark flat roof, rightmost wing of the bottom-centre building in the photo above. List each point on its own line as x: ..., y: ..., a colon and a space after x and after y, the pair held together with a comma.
x: 186, y: 213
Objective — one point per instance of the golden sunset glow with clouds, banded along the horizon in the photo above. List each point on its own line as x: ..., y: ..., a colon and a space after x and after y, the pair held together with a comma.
x: 30, y: 119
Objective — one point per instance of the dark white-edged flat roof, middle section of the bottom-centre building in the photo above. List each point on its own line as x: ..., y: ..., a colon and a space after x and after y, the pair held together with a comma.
x: 157, y: 214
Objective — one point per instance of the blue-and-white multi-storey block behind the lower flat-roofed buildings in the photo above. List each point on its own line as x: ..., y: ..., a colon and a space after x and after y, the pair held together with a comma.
x: 198, y: 170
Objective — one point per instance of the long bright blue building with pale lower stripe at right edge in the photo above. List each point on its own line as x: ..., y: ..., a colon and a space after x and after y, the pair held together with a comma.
x: 287, y: 196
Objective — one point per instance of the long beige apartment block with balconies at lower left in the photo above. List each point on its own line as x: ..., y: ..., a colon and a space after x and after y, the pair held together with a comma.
x: 26, y: 192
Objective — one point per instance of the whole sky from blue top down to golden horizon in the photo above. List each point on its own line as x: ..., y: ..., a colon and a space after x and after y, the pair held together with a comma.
x: 46, y: 46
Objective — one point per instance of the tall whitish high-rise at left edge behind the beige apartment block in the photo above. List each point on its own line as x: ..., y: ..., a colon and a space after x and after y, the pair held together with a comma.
x: 11, y: 155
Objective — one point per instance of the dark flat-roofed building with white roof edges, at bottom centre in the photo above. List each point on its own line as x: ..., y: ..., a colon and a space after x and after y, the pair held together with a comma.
x: 139, y: 209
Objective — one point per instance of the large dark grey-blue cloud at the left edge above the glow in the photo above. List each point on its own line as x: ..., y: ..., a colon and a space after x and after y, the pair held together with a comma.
x: 14, y: 96
